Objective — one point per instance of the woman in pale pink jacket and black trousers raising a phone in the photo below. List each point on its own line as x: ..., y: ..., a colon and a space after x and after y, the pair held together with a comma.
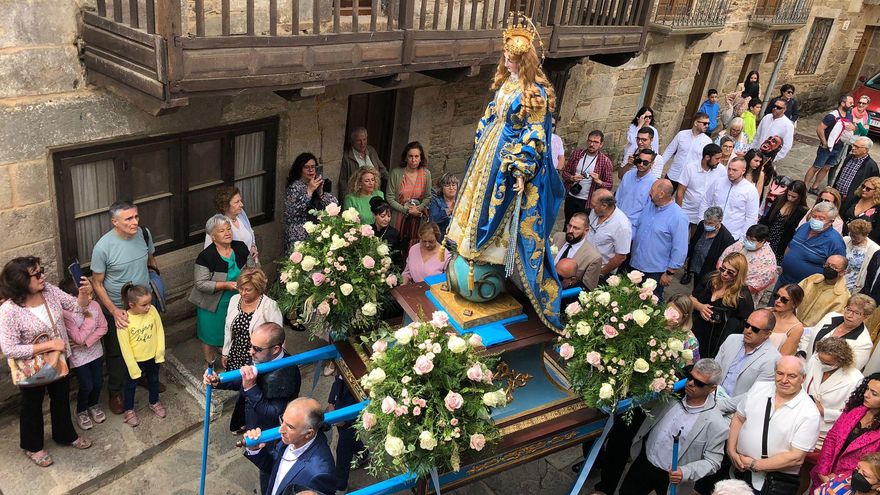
x: 33, y: 307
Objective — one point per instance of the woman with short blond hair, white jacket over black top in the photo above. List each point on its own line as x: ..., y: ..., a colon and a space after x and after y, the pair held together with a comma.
x: 849, y: 326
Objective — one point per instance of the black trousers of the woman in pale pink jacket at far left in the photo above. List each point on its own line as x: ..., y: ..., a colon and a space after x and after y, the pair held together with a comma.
x: 31, y: 416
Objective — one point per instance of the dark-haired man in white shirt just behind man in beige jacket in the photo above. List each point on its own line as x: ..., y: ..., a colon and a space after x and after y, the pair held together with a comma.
x: 610, y: 231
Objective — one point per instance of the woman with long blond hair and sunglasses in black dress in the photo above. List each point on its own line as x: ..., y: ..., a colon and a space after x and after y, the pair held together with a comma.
x: 722, y: 303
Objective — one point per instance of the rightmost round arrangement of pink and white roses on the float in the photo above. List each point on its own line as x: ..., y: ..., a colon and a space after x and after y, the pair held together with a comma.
x: 617, y: 343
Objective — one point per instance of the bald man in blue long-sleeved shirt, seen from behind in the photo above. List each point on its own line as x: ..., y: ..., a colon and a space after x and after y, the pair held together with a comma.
x: 661, y: 238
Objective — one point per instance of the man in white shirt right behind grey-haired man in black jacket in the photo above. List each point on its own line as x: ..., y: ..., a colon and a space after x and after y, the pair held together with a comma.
x: 736, y: 196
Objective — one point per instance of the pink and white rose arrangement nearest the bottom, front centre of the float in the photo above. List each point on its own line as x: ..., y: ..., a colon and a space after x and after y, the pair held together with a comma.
x: 430, y: 399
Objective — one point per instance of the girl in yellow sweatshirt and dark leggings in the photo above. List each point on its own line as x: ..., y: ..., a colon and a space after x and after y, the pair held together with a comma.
x: 142, y: 343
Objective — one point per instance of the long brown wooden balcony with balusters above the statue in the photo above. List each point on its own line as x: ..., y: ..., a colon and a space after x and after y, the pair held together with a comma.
x: 160, y: 53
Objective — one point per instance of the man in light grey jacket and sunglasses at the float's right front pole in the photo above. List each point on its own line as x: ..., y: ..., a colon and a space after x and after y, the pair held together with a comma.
x: 701, y: 431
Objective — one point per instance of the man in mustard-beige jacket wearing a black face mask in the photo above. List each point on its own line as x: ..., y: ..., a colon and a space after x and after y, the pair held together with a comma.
x: 824, y: 292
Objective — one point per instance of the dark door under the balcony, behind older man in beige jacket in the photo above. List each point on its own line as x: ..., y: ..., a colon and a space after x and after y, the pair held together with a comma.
x: 375, y: 112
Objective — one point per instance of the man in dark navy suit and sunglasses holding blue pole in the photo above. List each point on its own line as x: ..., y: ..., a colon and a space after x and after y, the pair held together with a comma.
x: 264, y: 396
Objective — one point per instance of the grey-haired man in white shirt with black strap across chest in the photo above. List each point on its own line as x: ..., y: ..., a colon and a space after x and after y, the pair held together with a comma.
x: 792, y: 427
